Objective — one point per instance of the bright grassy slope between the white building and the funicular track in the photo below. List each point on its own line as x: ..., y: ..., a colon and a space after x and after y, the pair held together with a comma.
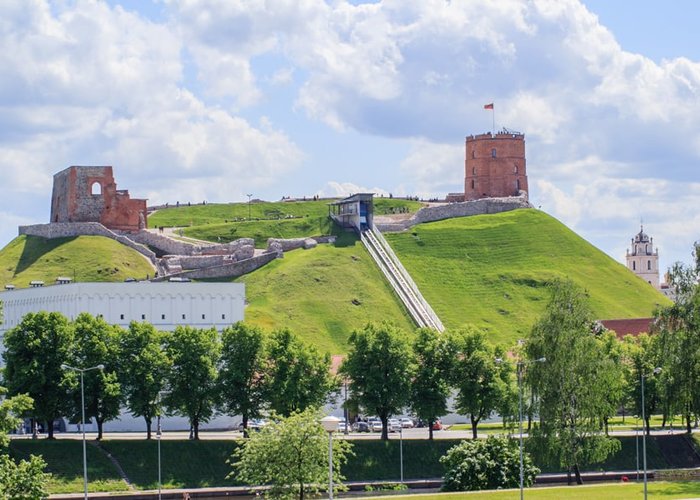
x: 322, y: 294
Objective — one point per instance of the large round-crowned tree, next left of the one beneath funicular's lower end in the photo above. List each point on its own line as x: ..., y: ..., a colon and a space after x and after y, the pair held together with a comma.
x: 380, y: 367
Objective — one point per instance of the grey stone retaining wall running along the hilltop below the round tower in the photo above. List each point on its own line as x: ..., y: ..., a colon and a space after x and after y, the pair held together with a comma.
x: 463, y: 209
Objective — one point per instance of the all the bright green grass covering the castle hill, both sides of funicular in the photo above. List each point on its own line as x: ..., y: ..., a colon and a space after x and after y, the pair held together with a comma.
x: 490, y: 271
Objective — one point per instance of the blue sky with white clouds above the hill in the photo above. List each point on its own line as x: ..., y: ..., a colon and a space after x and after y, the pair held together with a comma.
x: 193, y: 100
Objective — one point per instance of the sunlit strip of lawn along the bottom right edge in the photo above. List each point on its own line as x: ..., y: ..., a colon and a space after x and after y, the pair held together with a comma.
x: 618, y: 491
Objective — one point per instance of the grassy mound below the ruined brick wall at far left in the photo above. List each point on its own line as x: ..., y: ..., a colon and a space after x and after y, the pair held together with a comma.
x: 84, y: 258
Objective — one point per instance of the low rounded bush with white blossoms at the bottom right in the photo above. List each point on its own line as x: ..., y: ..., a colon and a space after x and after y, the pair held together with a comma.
x: 486, y: 464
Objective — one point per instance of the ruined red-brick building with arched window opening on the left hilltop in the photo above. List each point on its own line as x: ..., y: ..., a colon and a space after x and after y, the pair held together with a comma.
x: 89, y: 194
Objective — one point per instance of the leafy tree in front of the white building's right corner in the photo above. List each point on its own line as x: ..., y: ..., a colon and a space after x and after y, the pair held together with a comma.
x: 242, y: 377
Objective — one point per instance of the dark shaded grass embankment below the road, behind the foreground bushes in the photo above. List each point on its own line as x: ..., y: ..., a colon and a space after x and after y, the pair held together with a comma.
x: 197, y: 464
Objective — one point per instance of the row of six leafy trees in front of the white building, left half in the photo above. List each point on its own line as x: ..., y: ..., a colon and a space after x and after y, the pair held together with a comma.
x: 189, y: 372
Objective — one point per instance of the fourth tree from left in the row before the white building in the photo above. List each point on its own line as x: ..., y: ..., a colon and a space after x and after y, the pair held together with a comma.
x: 192, y: 376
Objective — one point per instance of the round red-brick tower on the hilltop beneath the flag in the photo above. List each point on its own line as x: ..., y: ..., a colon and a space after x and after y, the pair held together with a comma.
x: 494, y: 165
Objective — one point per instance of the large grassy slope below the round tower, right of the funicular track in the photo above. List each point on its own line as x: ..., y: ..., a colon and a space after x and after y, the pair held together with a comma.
x: 492, y: 271
